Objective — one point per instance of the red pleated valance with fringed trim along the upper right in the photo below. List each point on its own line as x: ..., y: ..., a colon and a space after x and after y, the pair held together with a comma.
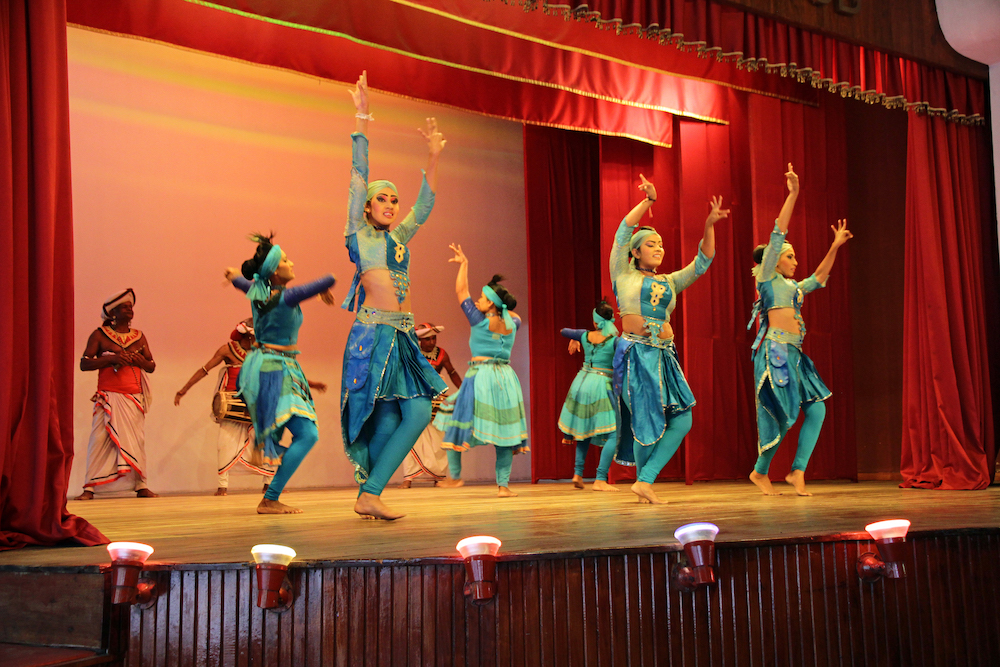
x: 730, y: 33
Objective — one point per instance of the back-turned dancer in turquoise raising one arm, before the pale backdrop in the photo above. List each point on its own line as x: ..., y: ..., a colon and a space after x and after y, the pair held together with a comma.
x: 489, y: 406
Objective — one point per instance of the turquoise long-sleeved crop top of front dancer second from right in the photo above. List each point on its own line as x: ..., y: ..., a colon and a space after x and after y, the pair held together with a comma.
x: 653, y: 297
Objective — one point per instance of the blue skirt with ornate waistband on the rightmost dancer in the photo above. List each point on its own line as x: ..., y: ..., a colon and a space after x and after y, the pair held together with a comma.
x: 784, y: 378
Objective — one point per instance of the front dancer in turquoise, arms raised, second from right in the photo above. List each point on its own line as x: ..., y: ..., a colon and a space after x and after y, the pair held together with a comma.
x: 656, y: 400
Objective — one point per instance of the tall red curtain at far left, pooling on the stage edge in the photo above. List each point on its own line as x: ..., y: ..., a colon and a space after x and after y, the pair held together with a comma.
x: 36, y: 297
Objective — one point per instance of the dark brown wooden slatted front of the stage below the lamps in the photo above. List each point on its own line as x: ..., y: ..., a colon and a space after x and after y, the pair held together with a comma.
x: 788, y: 604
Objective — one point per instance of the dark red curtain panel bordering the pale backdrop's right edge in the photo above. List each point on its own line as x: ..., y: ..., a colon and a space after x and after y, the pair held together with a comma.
x: 562, y: 190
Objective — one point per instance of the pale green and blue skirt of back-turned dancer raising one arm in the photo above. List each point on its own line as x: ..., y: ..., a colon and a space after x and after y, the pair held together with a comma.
x: 488, y: 409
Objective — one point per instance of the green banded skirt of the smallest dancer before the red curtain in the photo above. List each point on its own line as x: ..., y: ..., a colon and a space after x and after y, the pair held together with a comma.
x: 590, y: 408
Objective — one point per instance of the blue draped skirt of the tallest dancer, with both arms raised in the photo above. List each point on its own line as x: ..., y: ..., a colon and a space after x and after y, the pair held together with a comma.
x: 382, y: 362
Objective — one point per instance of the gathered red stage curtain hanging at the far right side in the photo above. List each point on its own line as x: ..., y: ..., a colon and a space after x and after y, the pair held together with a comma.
x: 948, y: 438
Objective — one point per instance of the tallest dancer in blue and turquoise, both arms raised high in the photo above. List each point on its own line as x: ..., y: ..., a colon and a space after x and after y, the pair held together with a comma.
x: 387, y: 384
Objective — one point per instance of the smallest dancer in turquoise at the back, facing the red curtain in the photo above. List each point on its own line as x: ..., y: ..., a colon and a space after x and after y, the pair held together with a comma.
x: 590, y: 413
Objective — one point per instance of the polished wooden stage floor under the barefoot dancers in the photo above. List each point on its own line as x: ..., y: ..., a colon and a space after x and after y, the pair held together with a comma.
x: 544, y: 518
